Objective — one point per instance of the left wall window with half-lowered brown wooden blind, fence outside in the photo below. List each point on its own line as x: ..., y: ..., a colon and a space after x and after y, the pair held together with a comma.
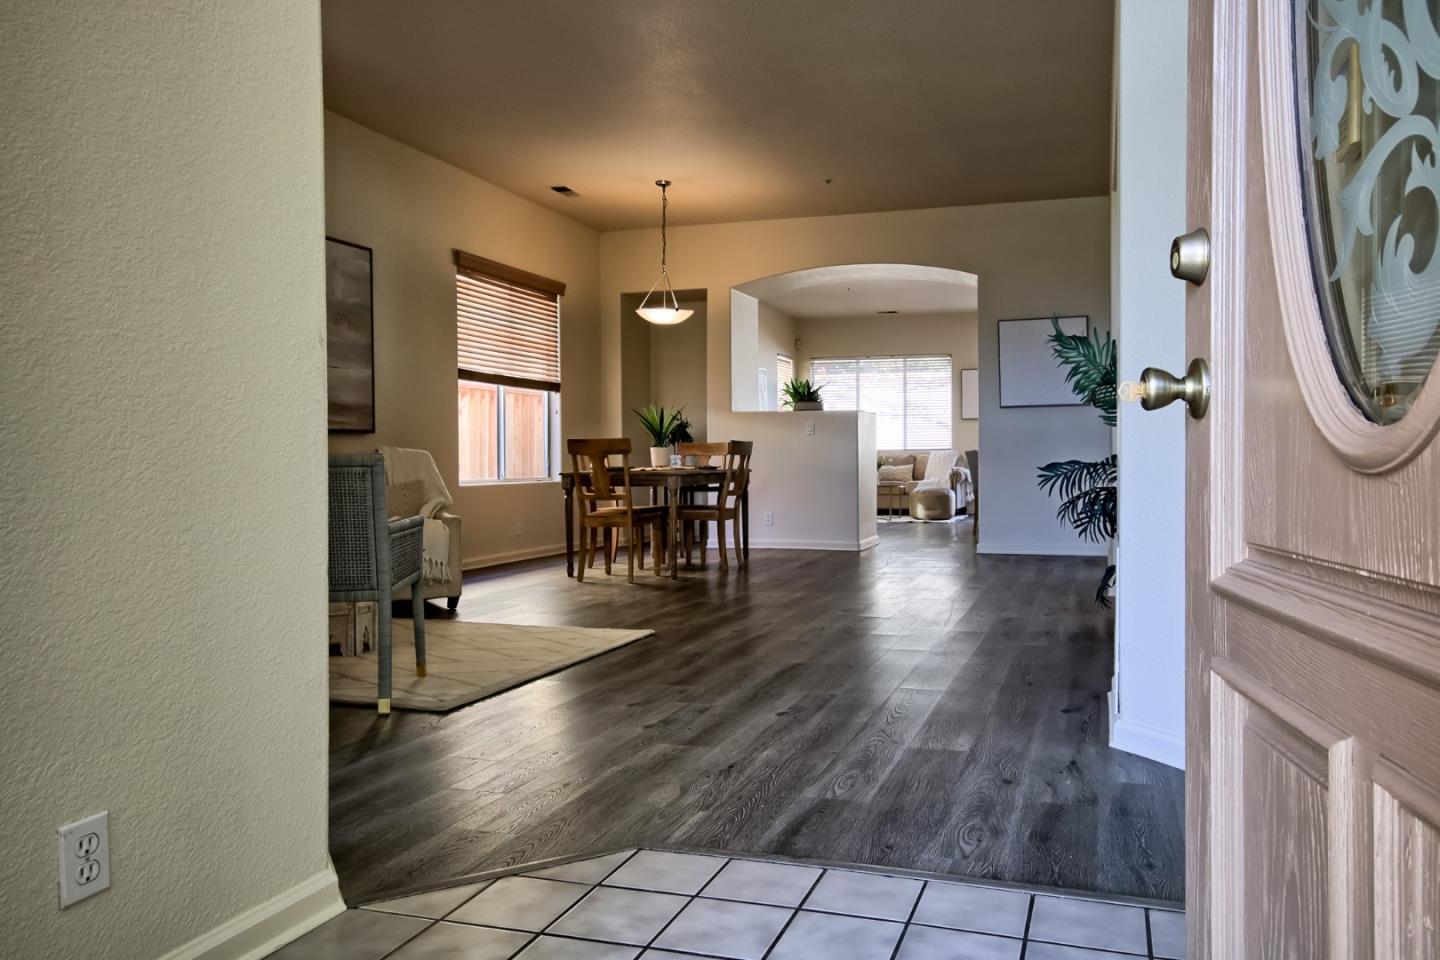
x: 508, y: 343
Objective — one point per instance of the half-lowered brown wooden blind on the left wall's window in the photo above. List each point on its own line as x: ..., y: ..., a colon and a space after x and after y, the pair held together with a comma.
x: 508, y: 325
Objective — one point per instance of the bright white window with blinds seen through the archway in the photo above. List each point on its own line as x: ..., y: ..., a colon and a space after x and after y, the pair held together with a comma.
x: 911, y: 397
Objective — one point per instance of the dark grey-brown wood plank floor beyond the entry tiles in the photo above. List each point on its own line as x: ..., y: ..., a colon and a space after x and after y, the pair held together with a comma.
x: 915, y: 706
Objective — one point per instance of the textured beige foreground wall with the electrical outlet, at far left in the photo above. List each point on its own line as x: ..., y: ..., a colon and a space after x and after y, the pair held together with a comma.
x: 163, y: 411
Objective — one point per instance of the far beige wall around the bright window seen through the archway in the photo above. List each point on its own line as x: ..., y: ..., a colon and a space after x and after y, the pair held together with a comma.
x: 906, y: 335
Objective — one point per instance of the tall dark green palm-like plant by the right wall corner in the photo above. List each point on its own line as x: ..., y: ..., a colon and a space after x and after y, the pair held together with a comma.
x: 1088, y: 489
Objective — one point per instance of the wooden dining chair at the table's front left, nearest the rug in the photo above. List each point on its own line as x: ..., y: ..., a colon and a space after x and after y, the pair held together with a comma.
x: 610, y: 507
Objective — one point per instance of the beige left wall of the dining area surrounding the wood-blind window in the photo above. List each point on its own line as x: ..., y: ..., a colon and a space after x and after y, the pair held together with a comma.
x: 414, y: 211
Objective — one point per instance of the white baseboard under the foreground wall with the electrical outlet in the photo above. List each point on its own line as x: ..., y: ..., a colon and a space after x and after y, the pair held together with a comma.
x: 266, y: 929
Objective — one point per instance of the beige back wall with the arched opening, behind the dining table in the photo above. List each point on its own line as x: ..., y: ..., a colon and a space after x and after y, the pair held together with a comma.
x: 1033, y: 260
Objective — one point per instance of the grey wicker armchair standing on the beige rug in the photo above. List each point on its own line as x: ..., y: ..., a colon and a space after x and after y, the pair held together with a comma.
x: 372, y: 556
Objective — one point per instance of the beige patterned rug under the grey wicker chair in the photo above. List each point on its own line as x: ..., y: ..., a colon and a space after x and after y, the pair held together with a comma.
x: 469, y: 661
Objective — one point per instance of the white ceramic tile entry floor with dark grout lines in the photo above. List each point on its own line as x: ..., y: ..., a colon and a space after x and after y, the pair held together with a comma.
x: 665, y: 906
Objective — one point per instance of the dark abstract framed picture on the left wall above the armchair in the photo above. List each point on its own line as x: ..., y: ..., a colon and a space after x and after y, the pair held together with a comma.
x: 351, y: 336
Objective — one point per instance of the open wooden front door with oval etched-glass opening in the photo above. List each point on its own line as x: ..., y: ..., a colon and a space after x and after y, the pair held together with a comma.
x: 1314, y: 536
